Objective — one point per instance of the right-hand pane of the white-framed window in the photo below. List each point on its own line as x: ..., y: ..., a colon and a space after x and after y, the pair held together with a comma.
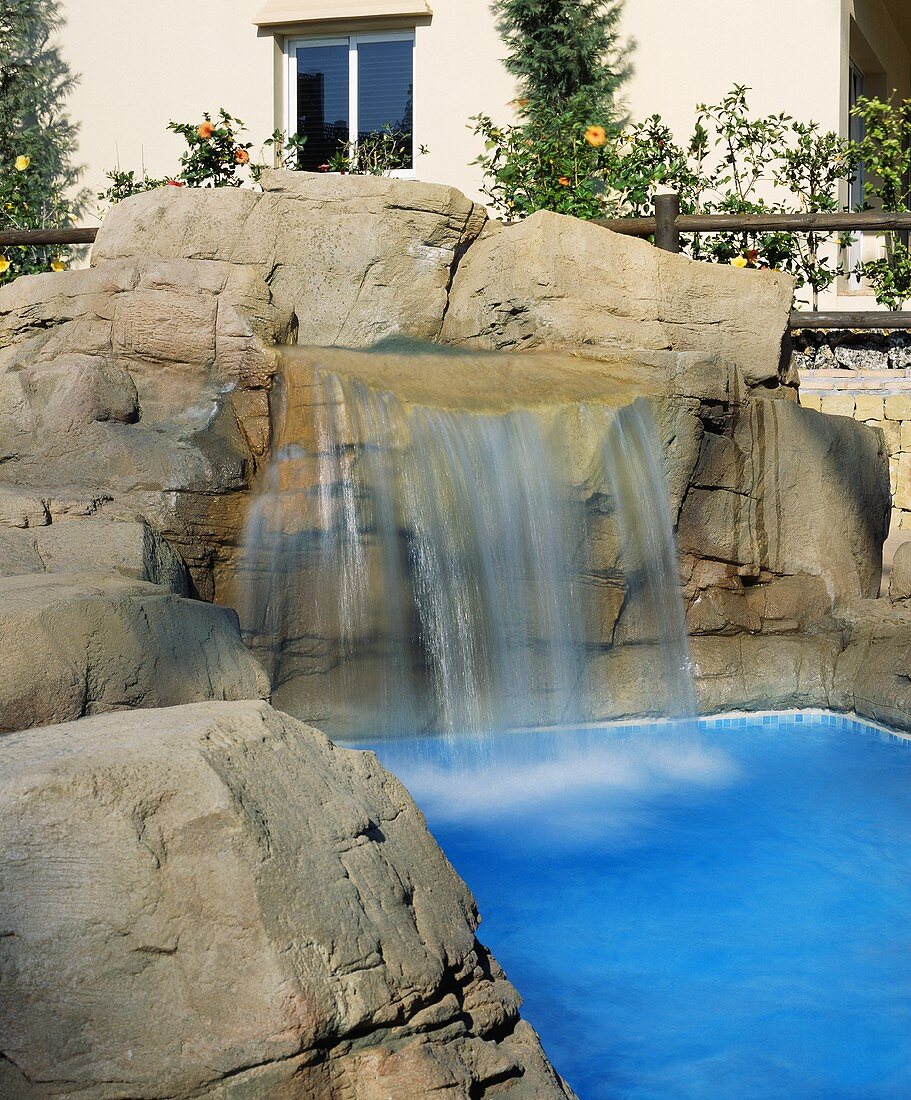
x: 386, y: 83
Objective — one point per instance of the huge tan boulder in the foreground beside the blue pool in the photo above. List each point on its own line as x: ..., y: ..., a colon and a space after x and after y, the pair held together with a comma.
x: 214, y: 901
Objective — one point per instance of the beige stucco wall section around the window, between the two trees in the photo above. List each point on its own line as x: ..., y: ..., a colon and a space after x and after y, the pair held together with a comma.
x: 142, y: 64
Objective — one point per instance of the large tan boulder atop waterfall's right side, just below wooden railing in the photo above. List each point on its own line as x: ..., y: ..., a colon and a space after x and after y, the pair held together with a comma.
x: 554, y: 281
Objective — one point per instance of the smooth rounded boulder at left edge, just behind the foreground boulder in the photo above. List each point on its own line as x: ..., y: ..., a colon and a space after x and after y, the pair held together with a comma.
x: 84, y: 644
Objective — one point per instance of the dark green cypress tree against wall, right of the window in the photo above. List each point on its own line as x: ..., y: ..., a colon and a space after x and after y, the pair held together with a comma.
x: 567, y: 56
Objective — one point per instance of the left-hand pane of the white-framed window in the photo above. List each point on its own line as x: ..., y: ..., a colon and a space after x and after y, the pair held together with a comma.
x: 322, y: 103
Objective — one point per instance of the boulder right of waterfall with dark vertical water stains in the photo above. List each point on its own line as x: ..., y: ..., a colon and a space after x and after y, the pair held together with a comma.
x: 791, y: 492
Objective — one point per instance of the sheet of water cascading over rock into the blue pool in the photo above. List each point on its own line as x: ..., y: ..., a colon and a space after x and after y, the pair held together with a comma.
x: 413, y: 568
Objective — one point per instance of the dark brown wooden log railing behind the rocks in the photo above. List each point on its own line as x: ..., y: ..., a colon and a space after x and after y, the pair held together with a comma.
x: 667, y: 226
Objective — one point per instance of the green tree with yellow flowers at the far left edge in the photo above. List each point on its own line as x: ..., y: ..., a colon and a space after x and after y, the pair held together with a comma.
x: 38, y: 139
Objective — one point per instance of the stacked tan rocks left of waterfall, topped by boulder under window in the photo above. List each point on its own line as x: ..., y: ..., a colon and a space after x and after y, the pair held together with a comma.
x: 146, y: 381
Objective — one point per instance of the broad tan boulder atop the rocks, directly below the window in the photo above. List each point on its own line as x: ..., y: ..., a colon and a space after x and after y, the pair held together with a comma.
x: 355, y: 260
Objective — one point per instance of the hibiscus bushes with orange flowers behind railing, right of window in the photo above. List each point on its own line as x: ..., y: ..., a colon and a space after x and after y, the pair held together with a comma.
x: 733, y: 163
